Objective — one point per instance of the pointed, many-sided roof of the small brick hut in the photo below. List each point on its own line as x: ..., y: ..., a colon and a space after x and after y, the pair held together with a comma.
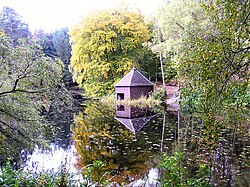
x: 134, y: 78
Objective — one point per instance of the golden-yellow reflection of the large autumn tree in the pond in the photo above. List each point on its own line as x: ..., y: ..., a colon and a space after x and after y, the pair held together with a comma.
x: 99, y: 136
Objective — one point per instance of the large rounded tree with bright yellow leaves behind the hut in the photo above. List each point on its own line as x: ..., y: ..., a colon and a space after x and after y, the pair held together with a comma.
x: 106, y: 45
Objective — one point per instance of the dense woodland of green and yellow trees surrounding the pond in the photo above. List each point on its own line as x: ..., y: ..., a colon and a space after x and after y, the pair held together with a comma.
x: 201, y: 45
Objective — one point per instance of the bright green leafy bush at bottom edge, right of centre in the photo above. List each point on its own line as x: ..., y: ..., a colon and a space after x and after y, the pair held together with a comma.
x: 175, y: 173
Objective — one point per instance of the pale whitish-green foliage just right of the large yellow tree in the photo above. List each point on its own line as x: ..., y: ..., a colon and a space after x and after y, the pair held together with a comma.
x: 173, y: 19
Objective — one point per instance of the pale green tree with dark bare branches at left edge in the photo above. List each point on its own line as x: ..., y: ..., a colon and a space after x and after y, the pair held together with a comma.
x: 29, y: 82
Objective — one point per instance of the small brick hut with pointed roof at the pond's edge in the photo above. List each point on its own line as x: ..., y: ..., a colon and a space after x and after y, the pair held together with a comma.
x: 133, y: 86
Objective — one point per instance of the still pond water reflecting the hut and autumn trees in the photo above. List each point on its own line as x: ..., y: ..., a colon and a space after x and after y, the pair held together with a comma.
x: 131, y: 142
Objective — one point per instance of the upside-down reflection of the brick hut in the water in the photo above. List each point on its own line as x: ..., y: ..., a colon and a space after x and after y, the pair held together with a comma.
x: 133, y: 118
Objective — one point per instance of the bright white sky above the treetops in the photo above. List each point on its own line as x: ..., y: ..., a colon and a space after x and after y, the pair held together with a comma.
x: 50, y: 15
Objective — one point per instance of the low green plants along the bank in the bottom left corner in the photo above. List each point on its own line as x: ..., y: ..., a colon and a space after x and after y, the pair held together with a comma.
x: 51, y: 178
